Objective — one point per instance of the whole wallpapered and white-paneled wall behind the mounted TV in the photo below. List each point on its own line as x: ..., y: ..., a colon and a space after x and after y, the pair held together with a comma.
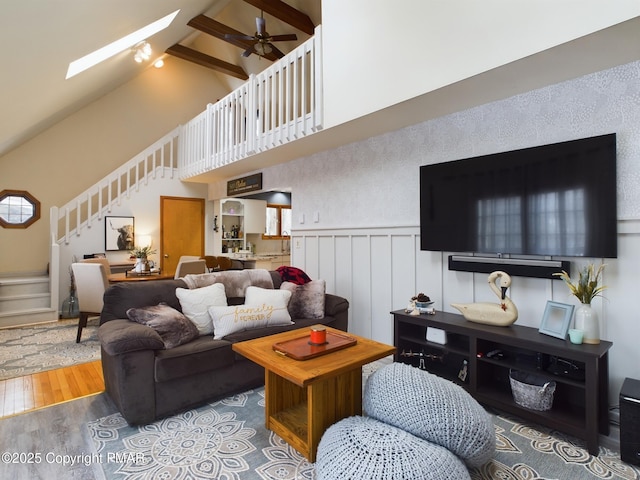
x: 366, y: 241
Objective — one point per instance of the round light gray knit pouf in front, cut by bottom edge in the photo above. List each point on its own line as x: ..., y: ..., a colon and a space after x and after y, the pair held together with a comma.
x: 360, y: 448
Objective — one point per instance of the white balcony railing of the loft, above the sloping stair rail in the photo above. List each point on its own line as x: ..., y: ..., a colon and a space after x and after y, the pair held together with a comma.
x: 279, y: 105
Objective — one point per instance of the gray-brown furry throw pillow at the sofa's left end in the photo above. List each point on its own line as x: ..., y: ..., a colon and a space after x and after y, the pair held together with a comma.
x: 172, y: 326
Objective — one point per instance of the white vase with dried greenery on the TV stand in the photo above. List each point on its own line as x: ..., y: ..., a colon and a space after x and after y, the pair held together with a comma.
x: 585, y: 289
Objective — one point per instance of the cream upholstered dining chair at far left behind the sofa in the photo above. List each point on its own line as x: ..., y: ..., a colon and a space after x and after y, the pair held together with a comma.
x: 91, y: 282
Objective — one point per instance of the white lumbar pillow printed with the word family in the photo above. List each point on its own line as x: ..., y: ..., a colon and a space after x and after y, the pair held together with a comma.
x: 238, y: 318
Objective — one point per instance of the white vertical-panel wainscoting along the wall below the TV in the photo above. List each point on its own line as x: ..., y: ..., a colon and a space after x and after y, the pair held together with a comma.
x: 379, y: 269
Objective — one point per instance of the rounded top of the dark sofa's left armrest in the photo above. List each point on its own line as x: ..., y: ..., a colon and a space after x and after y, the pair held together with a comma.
x: 124, y: 336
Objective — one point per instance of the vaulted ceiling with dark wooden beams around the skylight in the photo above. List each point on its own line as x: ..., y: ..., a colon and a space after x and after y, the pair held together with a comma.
x: 42, y: 37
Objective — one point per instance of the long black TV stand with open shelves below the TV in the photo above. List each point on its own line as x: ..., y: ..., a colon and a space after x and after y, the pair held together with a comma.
x: 581, y: 372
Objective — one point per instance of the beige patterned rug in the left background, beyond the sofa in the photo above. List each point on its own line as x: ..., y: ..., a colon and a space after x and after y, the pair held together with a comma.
x: 28, y: 350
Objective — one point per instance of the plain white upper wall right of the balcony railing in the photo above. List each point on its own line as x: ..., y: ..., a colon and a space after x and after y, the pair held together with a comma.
x: 426, y: 45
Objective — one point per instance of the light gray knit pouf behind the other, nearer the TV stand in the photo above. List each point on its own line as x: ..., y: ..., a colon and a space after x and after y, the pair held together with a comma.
x: 431, y: 408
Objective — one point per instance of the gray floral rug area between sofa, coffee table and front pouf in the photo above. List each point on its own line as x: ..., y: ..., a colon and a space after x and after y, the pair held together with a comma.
x: 223, y: 440
